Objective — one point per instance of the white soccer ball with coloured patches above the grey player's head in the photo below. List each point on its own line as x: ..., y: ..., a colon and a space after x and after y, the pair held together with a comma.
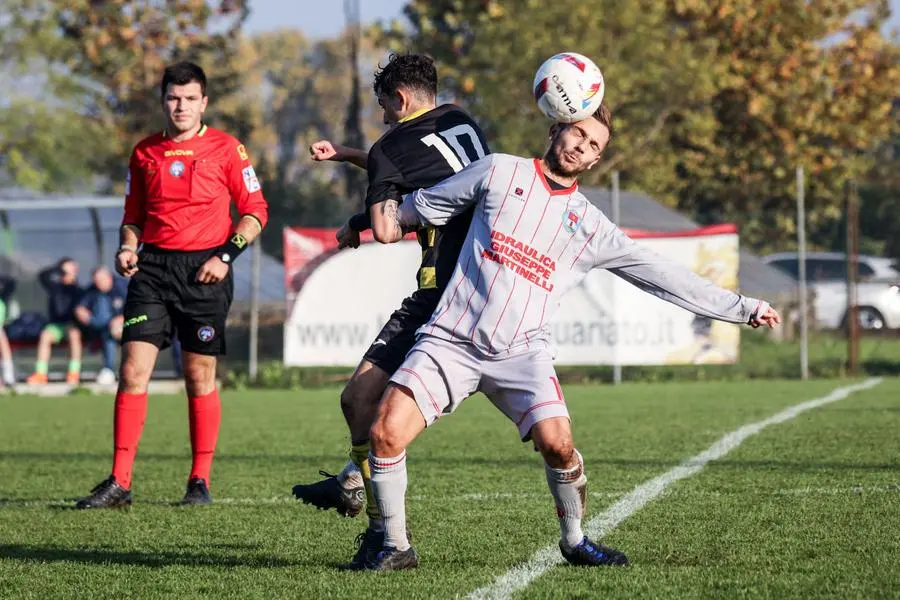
x: 568, y: 87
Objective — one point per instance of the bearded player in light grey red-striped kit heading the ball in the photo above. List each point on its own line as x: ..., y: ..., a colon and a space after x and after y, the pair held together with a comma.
x: 533, y: 237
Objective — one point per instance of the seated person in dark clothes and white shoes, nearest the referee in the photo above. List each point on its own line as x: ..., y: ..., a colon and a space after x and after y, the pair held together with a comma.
x: 99, y: 315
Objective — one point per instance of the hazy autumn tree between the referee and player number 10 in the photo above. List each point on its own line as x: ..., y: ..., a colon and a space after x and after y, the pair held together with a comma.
x: 294, y: 92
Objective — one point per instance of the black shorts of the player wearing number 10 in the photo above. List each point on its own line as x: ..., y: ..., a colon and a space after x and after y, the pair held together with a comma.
x: 398, y: 335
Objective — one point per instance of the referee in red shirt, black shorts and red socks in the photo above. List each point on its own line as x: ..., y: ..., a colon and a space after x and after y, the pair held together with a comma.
x: 178, y: 194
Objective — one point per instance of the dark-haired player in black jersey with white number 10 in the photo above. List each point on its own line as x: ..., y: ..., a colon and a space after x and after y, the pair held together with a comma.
x: 424, y: 145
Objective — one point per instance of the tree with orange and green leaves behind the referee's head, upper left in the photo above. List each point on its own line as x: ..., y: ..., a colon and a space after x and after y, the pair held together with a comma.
x: 95, y: 65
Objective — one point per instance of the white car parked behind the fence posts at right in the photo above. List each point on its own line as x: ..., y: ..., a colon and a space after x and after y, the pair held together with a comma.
x: 878, y: 290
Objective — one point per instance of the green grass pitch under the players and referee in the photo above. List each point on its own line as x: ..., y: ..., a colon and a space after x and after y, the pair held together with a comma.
x: 806, y: 509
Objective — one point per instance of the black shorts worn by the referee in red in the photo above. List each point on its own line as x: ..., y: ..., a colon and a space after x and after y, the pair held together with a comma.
x: 164, y: 297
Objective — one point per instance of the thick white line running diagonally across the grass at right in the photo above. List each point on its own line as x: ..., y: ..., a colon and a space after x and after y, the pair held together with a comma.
x: 521, y: 576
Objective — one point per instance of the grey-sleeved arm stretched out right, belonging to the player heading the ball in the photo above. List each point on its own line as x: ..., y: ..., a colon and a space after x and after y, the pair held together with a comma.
x: 675, y: 283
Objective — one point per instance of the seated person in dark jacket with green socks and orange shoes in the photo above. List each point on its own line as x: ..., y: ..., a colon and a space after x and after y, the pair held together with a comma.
x: 61, y: 284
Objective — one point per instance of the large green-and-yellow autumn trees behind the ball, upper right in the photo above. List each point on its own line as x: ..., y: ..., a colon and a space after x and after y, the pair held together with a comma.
x: 716, y: 102
